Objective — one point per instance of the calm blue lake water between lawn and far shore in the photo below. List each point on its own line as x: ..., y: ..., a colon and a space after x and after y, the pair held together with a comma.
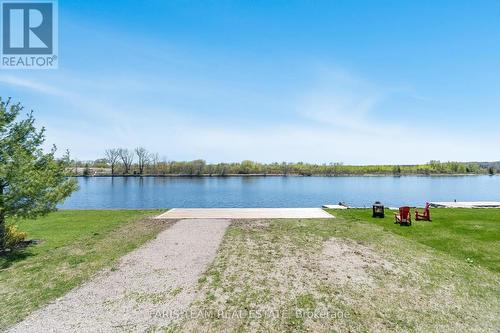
x: 163, y: 192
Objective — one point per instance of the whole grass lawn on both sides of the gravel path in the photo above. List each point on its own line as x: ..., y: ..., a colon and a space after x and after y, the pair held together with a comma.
x: 352, y: 273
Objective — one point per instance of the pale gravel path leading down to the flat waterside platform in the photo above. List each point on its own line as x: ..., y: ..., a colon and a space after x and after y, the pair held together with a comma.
x: 148, y: 288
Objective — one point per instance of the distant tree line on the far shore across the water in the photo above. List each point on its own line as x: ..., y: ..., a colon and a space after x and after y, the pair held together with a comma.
x: 139, y: 161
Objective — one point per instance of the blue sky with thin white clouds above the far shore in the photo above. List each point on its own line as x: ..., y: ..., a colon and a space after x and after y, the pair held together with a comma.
x: 318, y: 81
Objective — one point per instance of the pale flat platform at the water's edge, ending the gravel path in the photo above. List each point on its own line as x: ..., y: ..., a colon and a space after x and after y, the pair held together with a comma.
x: 245, y: 213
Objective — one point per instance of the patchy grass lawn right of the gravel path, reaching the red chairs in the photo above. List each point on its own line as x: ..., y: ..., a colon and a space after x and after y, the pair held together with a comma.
x: 354, y: 274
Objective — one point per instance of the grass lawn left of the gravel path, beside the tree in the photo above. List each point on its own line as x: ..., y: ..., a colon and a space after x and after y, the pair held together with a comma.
x: 75, y: 245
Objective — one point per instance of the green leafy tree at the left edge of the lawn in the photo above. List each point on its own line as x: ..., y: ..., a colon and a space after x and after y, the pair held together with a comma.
x: 31, y: 182
